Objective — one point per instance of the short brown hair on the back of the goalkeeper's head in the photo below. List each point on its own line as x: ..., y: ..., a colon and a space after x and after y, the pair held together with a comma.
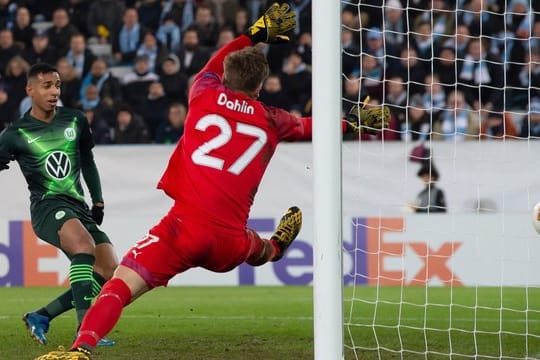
x: 245, y: 70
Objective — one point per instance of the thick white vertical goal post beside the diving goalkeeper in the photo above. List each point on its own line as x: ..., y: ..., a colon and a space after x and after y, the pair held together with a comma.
x: 327, y: 274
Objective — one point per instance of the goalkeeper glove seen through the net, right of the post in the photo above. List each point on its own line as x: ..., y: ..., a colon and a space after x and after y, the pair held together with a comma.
x: 370, y: 121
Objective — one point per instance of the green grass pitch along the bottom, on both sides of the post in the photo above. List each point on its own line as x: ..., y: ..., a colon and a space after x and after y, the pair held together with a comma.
x: 267, y: 323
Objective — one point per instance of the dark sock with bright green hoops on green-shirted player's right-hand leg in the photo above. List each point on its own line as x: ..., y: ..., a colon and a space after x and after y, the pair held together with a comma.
x: 81, y: 279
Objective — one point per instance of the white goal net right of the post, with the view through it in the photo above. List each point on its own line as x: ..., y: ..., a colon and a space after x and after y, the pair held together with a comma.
x: 440, y: 257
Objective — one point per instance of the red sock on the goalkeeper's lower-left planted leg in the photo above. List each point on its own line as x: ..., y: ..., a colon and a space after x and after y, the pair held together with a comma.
x: 104, y: 314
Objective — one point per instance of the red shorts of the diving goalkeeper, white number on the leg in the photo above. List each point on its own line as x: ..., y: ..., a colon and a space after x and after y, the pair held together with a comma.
x: 177, y: 244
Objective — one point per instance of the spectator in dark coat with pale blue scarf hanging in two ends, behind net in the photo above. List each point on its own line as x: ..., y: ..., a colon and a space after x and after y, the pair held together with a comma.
x: 481, y: 76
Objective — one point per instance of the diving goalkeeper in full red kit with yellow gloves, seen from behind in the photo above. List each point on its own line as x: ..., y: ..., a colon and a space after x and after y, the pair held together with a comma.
x: 213, y: 175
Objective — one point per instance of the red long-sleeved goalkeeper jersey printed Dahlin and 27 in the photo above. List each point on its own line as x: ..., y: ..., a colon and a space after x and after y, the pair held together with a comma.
x: 229, y: 139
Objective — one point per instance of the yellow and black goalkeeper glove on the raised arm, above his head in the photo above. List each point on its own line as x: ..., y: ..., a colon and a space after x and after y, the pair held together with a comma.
x: 272, y: 26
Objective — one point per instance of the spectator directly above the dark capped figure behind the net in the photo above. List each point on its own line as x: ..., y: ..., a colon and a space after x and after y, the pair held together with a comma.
x: 417, y: 125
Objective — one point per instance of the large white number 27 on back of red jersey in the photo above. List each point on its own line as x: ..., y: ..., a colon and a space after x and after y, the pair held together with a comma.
x: 201, y: 155
